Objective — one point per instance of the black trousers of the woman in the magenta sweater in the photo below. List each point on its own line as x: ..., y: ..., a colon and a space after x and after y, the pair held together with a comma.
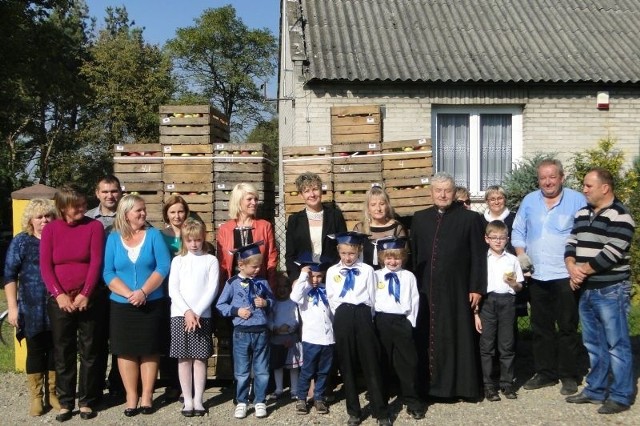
x: 78, y: 334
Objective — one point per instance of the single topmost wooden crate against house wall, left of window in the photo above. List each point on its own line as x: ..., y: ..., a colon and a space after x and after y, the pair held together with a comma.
x: 360, y: 123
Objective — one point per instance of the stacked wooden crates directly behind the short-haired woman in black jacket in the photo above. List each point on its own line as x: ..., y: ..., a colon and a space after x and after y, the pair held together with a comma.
x: 302, y: 159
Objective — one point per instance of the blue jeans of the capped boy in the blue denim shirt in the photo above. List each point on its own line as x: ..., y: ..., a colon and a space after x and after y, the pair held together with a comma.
x: 251, y: 350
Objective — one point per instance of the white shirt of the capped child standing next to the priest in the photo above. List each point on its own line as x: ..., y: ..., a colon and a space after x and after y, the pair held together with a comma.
x: 409, y: 296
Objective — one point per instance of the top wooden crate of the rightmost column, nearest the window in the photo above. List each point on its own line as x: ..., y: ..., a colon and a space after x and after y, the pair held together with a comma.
x: 407, y: 158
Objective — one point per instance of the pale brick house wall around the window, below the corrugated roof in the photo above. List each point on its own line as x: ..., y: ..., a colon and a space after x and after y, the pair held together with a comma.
x: 561, y: 119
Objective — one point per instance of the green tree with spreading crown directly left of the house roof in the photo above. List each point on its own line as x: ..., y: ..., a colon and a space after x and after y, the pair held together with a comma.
x: 223, y: 60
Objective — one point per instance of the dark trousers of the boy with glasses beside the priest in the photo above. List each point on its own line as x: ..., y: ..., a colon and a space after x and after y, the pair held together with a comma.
x: 498, y: 315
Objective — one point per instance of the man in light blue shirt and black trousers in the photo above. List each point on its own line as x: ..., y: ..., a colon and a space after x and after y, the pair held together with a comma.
x: 540, y: 231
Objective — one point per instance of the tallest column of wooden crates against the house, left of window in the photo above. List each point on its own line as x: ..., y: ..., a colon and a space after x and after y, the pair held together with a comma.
x: 356, y: 133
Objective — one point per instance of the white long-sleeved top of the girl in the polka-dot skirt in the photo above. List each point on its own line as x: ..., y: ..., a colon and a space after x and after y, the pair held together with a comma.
x: 193, y: 284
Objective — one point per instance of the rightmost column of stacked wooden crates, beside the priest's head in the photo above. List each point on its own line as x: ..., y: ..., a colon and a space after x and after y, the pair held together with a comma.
x: 407, y: 167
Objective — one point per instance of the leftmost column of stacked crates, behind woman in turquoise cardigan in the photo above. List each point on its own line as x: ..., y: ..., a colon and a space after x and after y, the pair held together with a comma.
x: 139, y: 169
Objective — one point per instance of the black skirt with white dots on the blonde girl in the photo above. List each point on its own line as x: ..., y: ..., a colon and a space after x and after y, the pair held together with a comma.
x: 196, y: 344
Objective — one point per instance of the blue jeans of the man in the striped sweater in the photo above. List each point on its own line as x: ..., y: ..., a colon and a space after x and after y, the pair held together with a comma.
x: 605, y: 333
